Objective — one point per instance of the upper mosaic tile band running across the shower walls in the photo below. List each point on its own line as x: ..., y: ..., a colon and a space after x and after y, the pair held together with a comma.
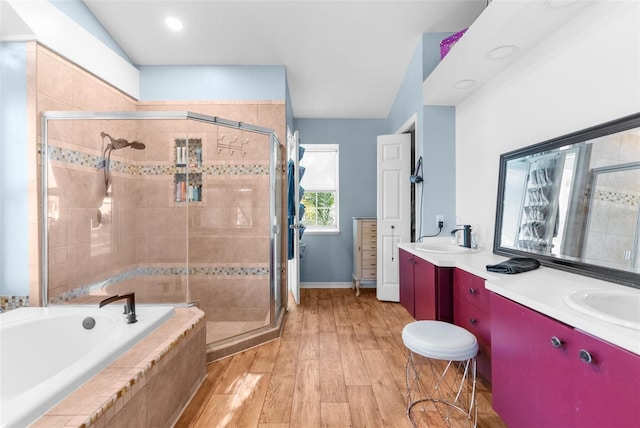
x: 74, y: 157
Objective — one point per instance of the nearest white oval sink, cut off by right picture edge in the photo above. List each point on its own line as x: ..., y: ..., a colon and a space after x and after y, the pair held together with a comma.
x: 620, y: 307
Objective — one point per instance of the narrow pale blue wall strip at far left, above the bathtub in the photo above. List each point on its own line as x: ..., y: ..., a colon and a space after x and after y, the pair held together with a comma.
x: 14, y: 205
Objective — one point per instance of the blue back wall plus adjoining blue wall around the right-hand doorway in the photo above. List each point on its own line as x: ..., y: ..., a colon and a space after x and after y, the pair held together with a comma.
x: 328, y: 258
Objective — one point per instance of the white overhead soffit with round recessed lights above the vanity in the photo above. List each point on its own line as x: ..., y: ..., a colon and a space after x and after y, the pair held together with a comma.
x: 503, y: 32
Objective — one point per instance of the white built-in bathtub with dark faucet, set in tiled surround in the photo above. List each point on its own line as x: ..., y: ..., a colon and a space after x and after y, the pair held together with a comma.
x: 46, y: 353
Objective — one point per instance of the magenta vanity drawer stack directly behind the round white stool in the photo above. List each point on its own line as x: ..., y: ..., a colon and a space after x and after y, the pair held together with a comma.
x: 471, y: 310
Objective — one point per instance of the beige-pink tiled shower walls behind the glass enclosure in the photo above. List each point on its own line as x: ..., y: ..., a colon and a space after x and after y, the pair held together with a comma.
x: 149, y: 237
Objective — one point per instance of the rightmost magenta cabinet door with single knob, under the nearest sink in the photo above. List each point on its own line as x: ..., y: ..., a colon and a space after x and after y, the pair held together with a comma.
x: 607, y: 387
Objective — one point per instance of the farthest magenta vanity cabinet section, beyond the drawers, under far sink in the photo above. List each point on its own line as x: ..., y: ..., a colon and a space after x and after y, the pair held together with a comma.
x: 425, y: 289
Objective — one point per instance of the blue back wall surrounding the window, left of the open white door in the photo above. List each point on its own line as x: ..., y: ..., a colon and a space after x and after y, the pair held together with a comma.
x: 327, y: 258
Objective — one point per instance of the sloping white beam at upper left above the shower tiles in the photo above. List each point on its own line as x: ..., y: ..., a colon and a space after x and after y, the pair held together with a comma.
x: 61, y: 34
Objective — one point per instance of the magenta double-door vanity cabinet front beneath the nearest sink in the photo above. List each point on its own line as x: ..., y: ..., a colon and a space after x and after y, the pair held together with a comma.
x: 548, y: 374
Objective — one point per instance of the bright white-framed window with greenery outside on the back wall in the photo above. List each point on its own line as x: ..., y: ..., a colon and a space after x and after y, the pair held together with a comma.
x: 320, y: 184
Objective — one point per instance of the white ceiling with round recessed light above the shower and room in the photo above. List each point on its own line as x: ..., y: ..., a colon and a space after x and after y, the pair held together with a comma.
x: 343, y: 58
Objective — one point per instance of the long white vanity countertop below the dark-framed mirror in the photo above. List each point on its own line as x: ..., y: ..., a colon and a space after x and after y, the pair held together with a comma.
x: 542, y: 290
